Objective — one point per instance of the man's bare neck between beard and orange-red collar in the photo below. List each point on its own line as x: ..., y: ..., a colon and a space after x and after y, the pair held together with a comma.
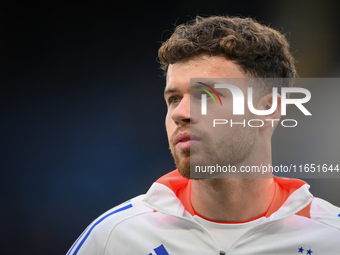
x: 232, y: 199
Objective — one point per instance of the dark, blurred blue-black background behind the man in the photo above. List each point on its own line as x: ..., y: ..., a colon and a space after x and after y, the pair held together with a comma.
x: 82, y: 109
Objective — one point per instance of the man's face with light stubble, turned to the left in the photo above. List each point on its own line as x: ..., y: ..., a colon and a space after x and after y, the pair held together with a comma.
x: 192, y: 138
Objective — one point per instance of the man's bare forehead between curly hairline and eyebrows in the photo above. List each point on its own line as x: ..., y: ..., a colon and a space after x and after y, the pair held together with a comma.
x: 203, y: 66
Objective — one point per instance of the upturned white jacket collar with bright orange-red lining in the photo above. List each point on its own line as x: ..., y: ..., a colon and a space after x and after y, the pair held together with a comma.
x: 170, y: 194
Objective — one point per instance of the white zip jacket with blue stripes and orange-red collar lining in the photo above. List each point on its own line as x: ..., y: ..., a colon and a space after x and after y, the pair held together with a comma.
x: 161, y: 222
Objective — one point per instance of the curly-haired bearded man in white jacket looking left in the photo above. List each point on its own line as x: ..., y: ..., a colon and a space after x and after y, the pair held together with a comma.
x: 184, y: 215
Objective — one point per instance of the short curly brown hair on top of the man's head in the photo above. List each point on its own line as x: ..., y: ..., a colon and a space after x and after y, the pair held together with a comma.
x: 259, y: 50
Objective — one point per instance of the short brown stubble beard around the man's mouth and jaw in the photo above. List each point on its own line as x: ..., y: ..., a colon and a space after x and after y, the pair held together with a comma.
x: 233, y: 149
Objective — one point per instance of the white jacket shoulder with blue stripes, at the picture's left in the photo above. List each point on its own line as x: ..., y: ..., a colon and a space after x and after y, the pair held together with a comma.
x: 94, y: 238
